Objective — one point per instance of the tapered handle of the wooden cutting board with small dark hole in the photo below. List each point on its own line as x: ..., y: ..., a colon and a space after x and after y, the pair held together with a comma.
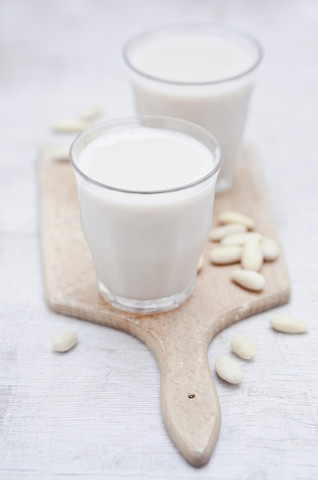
x: 189, y: 401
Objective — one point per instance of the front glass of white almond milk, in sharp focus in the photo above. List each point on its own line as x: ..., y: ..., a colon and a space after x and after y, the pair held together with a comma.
x: 146, y: 188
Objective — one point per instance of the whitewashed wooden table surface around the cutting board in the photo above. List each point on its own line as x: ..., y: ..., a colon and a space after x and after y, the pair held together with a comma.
x: 94, y: 412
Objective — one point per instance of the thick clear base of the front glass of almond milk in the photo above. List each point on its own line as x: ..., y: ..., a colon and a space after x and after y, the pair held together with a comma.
x: 144, y: 307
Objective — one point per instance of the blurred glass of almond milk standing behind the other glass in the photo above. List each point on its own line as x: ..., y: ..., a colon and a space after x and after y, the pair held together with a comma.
x: 202, y: 73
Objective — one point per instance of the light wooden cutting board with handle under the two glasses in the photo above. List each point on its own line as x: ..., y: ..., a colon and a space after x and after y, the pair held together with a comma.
x: 179, y: 339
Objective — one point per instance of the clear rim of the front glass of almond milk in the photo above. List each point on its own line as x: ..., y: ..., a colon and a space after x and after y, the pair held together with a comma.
x: 137, y: 121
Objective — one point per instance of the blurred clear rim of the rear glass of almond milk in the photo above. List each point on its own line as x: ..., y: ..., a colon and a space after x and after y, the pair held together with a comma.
x: 181, y: 27
